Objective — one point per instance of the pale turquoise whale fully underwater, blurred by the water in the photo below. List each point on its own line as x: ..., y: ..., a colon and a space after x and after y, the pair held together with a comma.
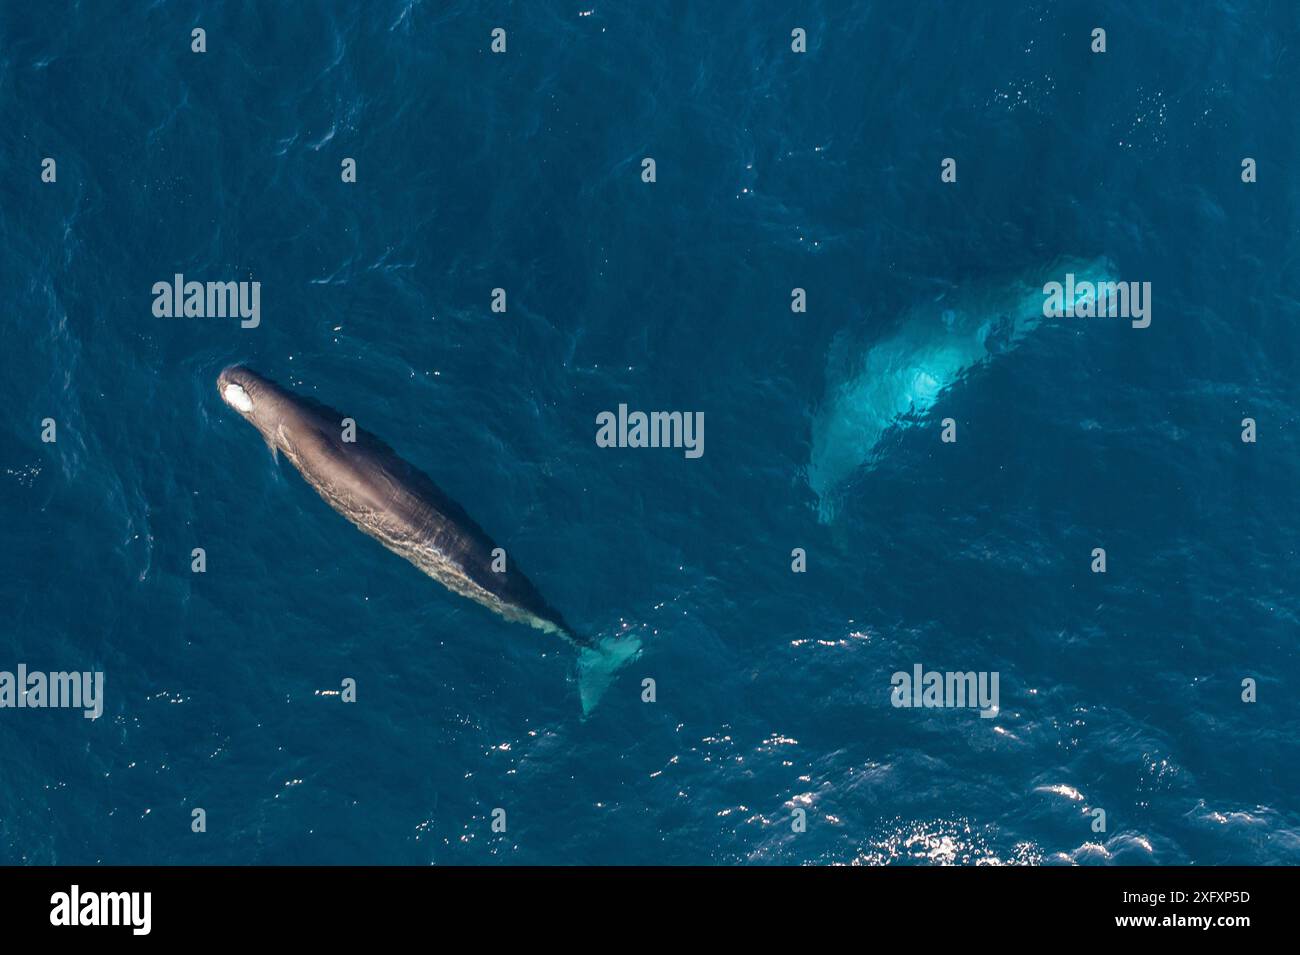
x: 902, y: 377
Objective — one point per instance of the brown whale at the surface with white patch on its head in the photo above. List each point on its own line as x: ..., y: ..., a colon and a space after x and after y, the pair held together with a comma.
x: 402, y: 509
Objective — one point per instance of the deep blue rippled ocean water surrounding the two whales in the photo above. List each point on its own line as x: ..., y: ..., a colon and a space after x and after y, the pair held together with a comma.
x: 1119, y: 692
